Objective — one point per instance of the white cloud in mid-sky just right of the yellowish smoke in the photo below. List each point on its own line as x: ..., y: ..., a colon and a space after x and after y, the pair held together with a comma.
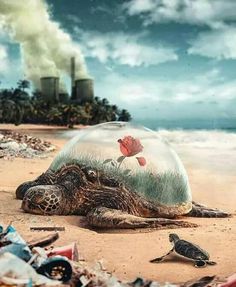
x: 124, y: 49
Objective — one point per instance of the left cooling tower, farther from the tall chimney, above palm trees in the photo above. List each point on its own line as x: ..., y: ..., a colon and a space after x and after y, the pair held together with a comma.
x: 50, y: 89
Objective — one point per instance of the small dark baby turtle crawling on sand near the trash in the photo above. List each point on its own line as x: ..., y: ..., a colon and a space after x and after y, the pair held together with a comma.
x: 187, y: 250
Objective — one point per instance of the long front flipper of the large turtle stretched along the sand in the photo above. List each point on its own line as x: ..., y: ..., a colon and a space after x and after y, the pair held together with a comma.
x: 103, y: 217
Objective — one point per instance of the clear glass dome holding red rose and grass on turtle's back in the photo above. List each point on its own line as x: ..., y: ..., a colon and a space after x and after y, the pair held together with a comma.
x: 135, y: 155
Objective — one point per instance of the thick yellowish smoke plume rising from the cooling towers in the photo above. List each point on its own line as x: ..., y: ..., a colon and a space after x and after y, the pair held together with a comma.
x: 46, y: 49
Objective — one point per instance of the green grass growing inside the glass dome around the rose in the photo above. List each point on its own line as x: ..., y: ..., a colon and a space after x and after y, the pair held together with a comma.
x: 167, y: 187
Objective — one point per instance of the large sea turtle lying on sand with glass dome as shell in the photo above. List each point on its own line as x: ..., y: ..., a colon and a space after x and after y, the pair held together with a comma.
x: 122, y: 193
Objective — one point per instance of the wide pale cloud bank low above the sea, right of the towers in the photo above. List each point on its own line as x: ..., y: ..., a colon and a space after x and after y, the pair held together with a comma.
x: 204, y: 95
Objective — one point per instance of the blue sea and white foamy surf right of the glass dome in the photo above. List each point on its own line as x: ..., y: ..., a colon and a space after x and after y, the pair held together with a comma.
x: 216, y: 136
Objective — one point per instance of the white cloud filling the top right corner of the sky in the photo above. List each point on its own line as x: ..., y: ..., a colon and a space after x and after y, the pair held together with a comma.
x: 218, y: 15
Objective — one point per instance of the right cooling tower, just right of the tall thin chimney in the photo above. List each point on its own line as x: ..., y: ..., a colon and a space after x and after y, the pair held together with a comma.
x: 83, y: 90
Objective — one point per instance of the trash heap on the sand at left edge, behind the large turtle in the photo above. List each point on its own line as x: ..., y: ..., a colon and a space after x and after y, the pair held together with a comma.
x: 13, y: 144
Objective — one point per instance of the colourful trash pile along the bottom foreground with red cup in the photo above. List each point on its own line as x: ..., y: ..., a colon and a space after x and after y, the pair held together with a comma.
x: 37, y: 263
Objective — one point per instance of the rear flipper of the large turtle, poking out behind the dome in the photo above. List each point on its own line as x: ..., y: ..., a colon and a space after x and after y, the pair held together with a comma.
x: 199, y: 210
